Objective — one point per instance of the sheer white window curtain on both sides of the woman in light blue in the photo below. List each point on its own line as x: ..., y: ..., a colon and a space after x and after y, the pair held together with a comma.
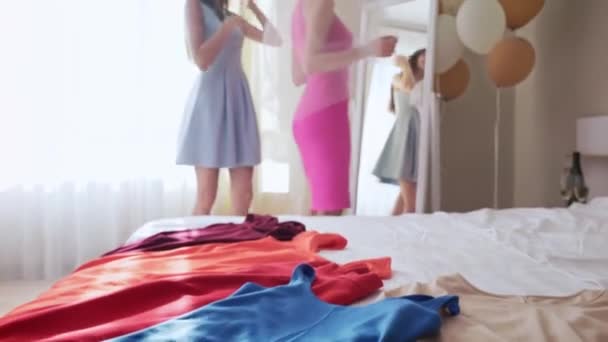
x: 91, y: 96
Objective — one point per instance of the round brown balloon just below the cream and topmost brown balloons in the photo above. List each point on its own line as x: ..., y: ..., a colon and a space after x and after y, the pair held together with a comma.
x: 510, y: 61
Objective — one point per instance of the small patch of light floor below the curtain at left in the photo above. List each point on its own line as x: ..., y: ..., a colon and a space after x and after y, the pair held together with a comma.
x: 13, y: 294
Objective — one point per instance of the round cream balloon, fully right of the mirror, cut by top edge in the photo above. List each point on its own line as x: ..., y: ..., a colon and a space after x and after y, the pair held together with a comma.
x: 481, y: 24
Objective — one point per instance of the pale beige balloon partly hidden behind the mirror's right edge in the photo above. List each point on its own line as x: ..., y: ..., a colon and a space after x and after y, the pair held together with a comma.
x: 449, y: 46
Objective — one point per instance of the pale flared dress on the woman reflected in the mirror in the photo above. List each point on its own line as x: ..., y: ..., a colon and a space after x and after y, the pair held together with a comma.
x: 399, y: 158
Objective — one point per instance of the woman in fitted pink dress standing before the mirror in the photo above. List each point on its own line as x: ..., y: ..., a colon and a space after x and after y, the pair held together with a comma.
x: 322, y: 53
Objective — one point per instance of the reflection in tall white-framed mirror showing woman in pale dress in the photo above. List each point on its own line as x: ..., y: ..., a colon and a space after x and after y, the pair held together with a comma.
x: 388, y: 158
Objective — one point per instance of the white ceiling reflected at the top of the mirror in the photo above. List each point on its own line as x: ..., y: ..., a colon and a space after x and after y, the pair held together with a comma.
x: 414, y: 14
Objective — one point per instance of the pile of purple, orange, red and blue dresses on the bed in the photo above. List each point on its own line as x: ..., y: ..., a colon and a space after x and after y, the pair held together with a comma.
x: 261, y: 280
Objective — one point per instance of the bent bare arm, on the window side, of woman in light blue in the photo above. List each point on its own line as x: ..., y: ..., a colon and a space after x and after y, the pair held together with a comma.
x: 204, y: 52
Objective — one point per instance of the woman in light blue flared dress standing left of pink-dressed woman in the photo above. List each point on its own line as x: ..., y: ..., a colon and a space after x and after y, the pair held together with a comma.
x: 219, y: 128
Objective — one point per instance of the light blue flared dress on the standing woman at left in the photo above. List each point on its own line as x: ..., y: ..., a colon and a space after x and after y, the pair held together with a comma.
x: 219, y: 128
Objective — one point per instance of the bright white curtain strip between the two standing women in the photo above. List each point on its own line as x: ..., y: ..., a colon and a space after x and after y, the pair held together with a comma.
x: 281, y: 175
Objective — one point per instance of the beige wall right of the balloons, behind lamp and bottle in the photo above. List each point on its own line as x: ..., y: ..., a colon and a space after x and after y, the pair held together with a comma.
x: 570, y: 81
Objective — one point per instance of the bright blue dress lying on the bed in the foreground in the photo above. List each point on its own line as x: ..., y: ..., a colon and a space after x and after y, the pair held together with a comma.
x: 293, y: 313
